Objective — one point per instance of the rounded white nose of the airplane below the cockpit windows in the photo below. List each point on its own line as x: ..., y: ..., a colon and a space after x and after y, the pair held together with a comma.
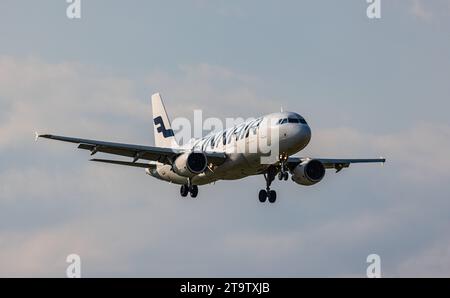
x: 294, y: 138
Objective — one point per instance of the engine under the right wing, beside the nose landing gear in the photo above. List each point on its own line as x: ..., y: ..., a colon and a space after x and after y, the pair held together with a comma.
x: 308, y: 172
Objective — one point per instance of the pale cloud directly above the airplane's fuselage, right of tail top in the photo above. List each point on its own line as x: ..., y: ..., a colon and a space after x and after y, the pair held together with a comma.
x: 197, y: 86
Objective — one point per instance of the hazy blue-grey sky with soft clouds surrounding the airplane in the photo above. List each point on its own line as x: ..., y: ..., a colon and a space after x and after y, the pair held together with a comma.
x: 368, y: 88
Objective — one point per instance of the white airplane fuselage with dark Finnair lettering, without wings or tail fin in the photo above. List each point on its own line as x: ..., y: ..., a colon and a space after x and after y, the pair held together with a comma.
x: 242, y: 144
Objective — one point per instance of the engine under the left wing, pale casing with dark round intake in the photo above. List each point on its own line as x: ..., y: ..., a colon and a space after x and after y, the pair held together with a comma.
x: 190, y: 164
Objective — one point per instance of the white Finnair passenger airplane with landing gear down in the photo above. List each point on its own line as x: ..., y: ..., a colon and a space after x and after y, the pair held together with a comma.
x: 209, y: 159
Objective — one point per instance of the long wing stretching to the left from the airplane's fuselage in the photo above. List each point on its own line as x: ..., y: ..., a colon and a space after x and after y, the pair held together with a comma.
x: 137, y: 152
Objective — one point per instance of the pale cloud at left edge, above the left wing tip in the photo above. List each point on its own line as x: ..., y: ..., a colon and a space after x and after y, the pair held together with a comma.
x: 48, y: 97
